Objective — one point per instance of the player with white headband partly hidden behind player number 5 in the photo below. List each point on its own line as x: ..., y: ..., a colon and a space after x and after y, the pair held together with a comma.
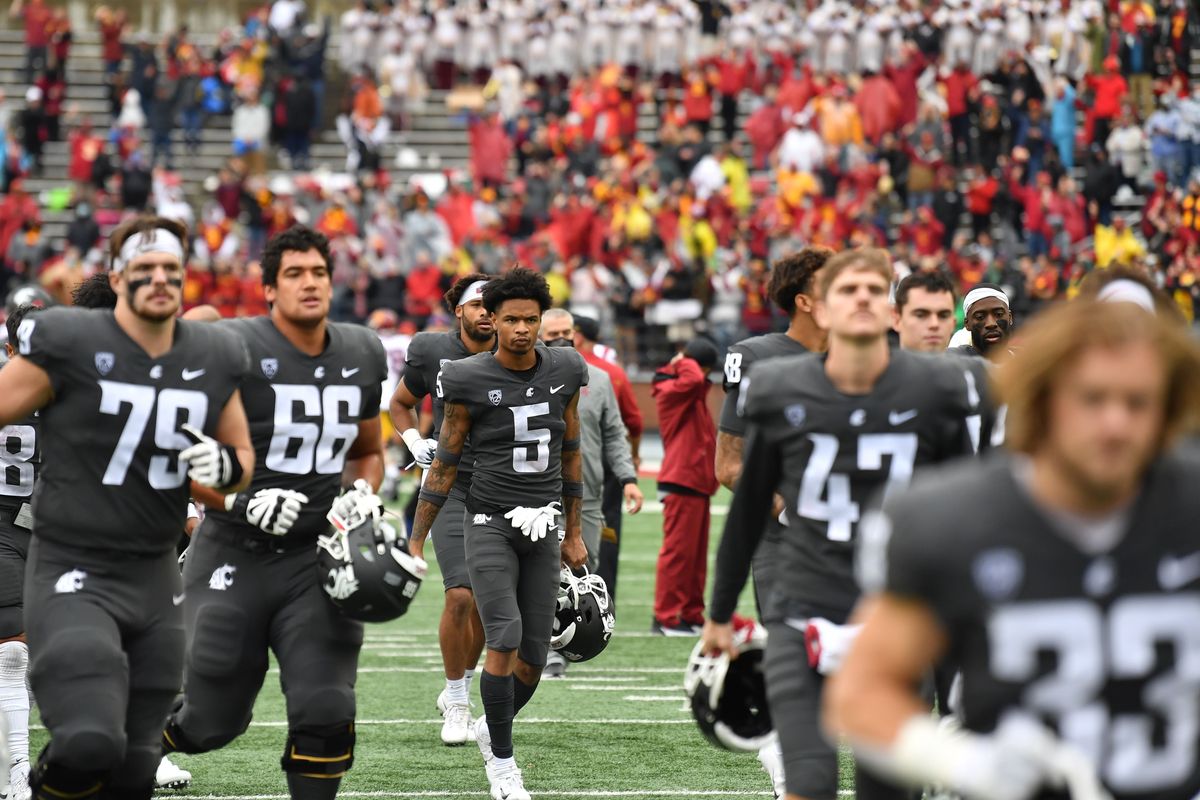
x: 460, y: 631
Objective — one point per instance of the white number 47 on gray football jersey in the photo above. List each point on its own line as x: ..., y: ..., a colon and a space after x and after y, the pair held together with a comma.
x: 838, y: 507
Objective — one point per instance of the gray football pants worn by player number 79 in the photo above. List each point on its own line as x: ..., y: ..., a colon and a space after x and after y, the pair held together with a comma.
x: 107, y: 647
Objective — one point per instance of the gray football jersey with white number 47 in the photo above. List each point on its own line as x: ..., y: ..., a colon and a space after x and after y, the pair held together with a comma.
x: 830, y: 454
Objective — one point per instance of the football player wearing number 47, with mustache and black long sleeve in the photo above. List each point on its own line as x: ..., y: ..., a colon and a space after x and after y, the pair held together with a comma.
x: 827, y: 432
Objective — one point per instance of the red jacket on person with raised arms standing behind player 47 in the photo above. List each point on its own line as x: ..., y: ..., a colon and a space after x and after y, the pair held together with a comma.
x: 689, y: 437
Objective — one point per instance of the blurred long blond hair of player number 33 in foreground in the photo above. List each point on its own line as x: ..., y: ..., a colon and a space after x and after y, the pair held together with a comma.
x: 1059, y: 336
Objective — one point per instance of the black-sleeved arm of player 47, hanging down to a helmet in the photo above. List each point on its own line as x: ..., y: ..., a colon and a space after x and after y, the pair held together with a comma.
x: 753, y: 502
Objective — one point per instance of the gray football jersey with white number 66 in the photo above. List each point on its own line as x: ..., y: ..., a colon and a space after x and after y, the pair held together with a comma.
x: 304, y: 413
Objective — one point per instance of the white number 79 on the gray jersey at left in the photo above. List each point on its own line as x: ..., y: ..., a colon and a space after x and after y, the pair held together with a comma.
x: 171, y: 410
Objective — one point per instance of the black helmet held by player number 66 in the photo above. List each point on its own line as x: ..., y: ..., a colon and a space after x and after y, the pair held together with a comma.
x: 367, y: 569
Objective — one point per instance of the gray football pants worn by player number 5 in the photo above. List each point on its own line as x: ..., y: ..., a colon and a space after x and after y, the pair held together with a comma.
x: 517, y: 586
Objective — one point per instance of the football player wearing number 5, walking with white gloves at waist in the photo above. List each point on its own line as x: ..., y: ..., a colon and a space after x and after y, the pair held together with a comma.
x: 520, y: 407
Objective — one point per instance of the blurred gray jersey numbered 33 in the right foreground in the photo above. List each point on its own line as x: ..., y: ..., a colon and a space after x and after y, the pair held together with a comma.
x: 1102, y: 647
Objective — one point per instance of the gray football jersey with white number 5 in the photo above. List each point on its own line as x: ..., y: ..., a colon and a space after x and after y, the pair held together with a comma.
x: 517, y: 425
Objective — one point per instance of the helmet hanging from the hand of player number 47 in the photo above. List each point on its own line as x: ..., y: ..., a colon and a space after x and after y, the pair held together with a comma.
x: 729, y: 699
